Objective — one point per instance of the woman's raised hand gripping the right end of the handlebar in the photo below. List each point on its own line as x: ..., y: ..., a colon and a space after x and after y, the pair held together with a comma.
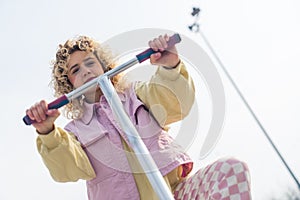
x: 166, y: 56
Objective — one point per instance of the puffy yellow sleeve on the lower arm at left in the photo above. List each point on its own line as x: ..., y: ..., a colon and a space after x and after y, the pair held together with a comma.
x: 64, y: 156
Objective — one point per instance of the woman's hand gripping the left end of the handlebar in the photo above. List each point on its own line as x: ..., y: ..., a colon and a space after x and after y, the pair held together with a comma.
x: 44, y: 118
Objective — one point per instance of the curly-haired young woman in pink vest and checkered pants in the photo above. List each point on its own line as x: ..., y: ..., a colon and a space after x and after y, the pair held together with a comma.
x: 93, y: 147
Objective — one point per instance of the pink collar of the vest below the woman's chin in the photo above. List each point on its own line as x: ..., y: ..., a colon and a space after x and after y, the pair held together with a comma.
x: 90, y: 108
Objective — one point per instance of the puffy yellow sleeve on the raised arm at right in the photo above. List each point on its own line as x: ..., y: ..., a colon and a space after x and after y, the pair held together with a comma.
x: 169, y: 95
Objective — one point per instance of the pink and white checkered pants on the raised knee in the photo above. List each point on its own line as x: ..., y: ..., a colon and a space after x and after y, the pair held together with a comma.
x: 226, y: 179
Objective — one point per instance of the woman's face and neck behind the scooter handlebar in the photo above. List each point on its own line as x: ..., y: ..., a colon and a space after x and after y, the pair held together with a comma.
x: 82, y: 68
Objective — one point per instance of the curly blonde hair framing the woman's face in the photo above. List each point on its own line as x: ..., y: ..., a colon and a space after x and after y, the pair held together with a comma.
x: 60, y: 81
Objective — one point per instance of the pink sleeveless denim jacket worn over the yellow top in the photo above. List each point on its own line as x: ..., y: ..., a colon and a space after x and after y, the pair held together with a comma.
x: 103, y: 146
